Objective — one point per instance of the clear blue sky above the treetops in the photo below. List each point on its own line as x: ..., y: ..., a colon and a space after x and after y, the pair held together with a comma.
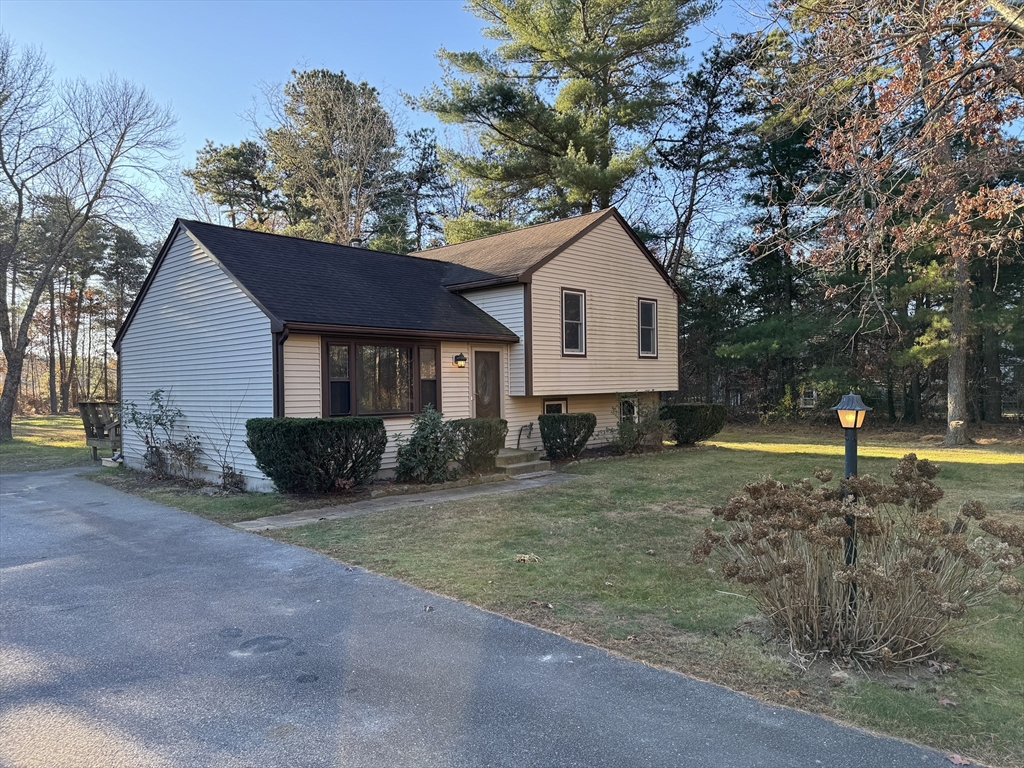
x: 207, y: 60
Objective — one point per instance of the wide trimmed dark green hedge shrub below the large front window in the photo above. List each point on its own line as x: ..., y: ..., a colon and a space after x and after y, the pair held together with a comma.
x: 315, y: 456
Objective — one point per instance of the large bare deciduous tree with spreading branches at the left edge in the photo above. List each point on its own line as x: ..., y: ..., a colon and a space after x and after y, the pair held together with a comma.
x: 82, y: 152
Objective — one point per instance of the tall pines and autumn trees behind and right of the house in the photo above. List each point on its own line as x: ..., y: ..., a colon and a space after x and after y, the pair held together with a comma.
x: 839, y: 195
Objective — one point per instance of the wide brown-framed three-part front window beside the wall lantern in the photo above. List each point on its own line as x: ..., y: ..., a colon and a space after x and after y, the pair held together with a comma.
x: 380, y: 378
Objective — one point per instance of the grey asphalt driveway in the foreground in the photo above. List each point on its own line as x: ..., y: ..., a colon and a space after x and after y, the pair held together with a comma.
x: 137, y: 635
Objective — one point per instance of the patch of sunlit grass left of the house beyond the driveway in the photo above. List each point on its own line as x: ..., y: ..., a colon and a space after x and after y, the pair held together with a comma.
x: 46, y: 443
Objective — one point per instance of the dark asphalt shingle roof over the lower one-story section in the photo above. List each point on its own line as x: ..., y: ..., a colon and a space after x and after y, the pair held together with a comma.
x: 304, y: 281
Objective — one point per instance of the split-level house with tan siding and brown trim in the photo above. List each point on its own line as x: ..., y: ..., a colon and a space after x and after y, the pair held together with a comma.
x: 563, y: 317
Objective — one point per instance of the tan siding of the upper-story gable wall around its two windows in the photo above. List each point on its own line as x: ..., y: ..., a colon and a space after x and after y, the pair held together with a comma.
x: 608, y: 265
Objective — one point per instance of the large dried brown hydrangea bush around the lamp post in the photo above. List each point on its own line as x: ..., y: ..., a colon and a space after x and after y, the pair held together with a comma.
x: 879, y: 579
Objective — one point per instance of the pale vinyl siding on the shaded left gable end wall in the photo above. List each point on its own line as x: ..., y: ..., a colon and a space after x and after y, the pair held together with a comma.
x: 198, y: 337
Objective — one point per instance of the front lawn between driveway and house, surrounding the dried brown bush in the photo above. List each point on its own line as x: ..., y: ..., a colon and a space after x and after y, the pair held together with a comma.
x: 614, y: 566
